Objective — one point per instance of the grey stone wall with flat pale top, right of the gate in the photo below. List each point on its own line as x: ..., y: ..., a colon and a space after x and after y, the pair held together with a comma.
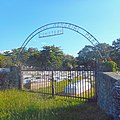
x: 106, y: 82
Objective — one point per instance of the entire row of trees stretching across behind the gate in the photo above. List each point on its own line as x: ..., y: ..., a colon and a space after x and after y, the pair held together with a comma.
x: 52, y: 57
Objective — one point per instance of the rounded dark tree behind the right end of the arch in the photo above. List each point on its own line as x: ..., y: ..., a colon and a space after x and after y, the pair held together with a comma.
x: 89, y: 54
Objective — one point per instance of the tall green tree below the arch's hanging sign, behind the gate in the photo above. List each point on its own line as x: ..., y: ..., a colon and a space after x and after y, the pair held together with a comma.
x: 51, y: 57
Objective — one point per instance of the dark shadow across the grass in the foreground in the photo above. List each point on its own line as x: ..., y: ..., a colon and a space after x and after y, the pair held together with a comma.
x: 85, y: 111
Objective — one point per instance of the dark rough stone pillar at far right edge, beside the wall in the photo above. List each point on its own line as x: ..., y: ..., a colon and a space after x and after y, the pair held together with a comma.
x: 116, y: 100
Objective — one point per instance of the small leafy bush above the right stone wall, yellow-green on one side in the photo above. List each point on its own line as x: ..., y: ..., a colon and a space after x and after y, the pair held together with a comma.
x: 108, y: 66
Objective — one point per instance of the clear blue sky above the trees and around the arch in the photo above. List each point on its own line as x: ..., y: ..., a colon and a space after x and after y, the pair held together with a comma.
x: 18, y: 18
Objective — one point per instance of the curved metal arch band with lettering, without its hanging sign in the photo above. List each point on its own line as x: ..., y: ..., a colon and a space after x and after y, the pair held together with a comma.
x: 66, y: 25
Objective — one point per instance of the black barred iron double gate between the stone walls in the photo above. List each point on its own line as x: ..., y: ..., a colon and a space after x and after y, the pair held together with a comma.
x: 68, y: 83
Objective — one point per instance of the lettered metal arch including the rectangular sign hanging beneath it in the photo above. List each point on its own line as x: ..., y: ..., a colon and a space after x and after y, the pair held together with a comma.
x: 58, y: 27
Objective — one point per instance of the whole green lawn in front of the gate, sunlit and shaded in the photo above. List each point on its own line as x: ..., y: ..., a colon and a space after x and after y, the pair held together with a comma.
x: 19, y: 105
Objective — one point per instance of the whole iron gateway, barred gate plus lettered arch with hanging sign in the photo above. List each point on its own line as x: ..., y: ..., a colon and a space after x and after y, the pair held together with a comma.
x: 77, y: 83
